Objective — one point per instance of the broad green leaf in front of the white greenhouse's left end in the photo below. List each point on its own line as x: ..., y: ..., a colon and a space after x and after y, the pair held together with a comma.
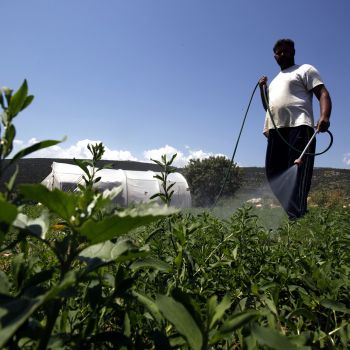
x: 61, y: 203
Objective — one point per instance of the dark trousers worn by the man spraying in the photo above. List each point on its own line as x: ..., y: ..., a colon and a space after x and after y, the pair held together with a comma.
x: 291, y: 191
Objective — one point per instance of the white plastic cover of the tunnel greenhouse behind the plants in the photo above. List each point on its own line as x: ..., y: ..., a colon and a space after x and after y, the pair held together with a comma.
x: 137, y: 186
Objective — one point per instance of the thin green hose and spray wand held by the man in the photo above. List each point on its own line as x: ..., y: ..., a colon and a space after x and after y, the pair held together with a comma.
x: 297, y: 162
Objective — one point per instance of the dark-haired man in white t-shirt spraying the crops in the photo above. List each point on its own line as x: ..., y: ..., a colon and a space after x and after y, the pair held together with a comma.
x: 289, y: 125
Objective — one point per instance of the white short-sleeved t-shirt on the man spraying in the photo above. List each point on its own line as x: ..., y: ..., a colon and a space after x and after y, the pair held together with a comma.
x: 290, y: 97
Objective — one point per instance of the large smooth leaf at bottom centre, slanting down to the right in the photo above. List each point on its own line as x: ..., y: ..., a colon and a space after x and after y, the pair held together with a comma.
x: 178, y: 315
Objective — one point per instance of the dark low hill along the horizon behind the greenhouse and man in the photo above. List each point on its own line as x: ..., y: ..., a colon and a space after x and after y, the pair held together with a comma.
x: 34, y: 170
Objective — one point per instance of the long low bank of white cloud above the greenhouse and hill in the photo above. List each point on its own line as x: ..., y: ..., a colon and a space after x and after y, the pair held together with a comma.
x: 80, y: 151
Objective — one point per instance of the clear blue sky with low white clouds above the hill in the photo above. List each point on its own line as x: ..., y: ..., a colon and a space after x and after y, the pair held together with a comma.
x: 148, y: 77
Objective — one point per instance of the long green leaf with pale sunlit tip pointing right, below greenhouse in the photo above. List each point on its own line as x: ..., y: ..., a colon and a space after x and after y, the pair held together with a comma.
x: 122, y: 222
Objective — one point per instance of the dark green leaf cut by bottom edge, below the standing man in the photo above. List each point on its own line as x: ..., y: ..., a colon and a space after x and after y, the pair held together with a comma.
x: 272, y: 339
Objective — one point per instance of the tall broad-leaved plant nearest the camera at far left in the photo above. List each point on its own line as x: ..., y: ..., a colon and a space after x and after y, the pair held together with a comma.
x: 36, y: 295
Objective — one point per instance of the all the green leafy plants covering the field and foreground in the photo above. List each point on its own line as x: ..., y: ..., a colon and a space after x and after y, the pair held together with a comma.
x: 78, y: 273
